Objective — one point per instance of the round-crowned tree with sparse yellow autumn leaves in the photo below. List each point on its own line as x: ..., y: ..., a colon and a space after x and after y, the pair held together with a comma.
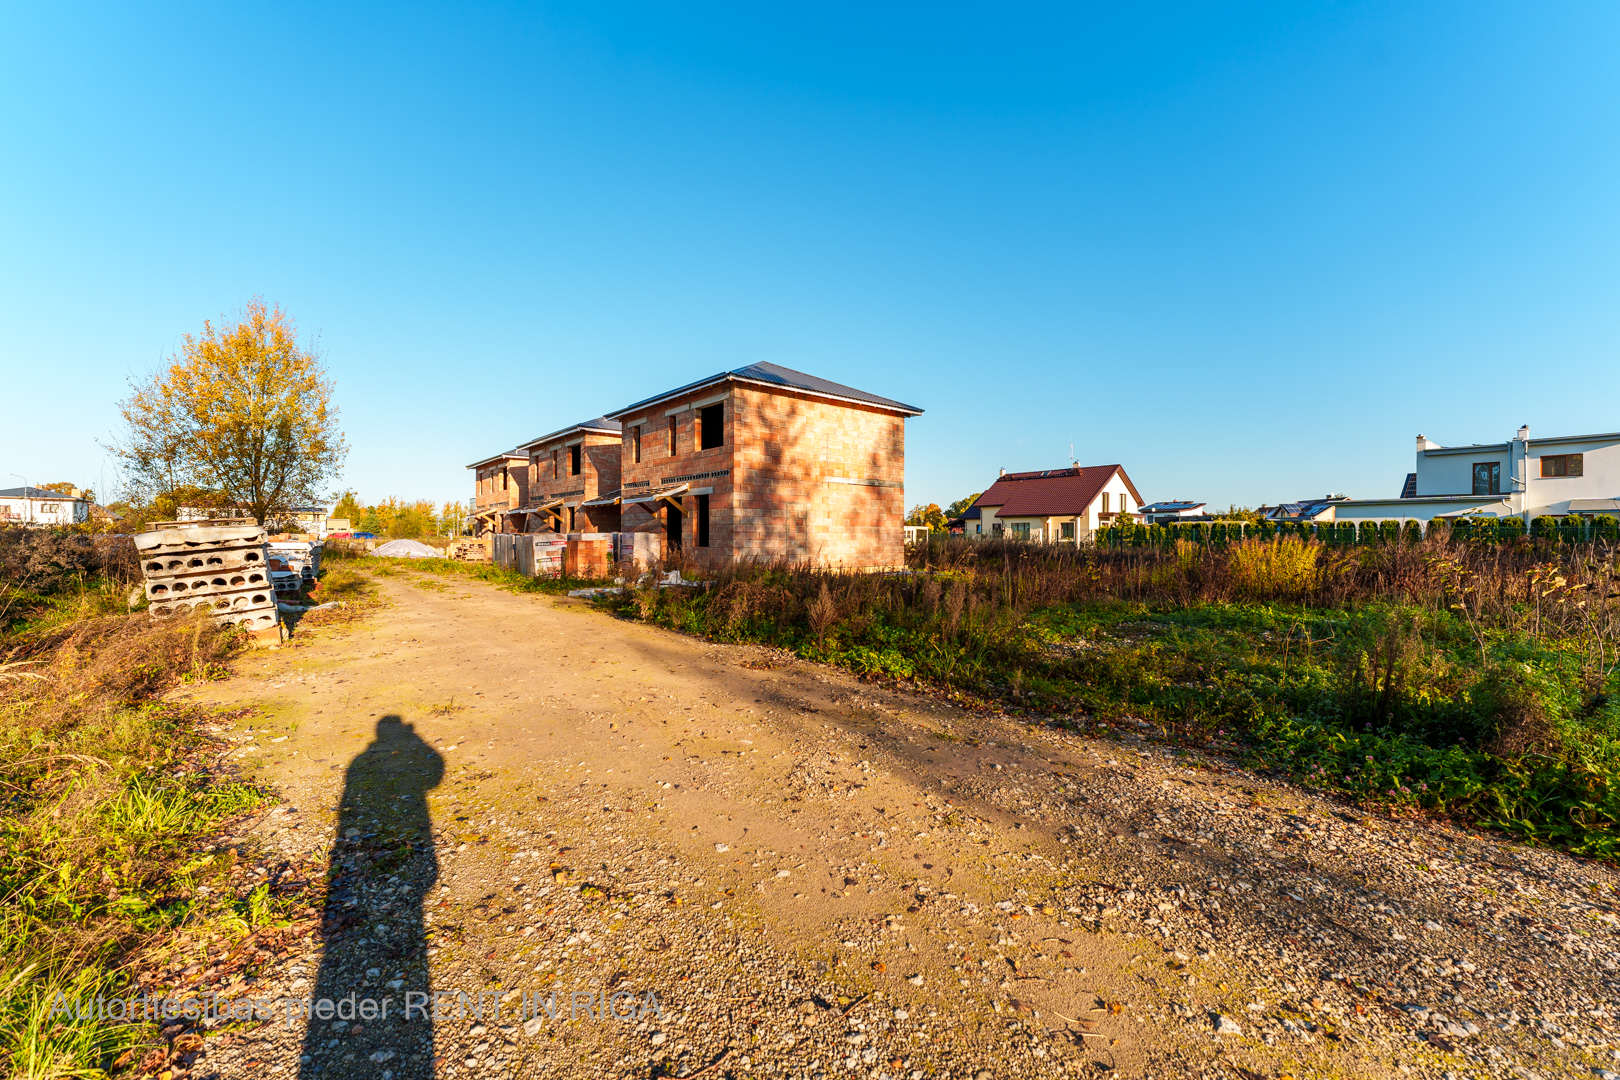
x: 242, y: 412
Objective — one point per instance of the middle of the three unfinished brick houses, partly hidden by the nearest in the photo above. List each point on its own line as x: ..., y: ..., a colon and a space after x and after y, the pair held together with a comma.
x: 574, y: 480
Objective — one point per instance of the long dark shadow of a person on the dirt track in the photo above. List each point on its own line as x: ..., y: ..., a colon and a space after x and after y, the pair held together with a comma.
x: 373, y: 930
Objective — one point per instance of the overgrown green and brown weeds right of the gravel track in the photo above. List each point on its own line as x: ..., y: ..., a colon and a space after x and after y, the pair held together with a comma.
x: 1473, y: 681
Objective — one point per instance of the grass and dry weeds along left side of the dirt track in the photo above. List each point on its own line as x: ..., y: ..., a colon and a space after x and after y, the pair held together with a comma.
x: 108, y: 797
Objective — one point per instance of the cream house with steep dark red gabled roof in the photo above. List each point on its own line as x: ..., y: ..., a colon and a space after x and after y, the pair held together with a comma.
x: 1055, y: 506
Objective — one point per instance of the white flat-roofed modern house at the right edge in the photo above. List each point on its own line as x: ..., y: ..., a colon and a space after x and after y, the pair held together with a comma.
x: 1517, y: 478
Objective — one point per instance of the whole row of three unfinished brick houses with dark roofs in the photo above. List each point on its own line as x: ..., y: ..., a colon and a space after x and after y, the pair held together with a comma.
x: 752, y: 464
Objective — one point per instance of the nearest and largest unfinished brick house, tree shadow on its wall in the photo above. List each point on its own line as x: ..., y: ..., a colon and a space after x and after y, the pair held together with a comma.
x: 767, y: 464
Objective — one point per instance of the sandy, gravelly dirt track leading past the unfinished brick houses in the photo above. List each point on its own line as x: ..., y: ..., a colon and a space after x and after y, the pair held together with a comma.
x: 817, y: 877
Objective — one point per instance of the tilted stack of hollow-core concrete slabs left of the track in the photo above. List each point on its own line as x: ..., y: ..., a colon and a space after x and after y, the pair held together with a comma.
x: 223, y: 571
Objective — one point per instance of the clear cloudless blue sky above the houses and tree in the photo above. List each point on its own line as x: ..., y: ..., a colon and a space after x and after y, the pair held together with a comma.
x: 1245, y: 250
